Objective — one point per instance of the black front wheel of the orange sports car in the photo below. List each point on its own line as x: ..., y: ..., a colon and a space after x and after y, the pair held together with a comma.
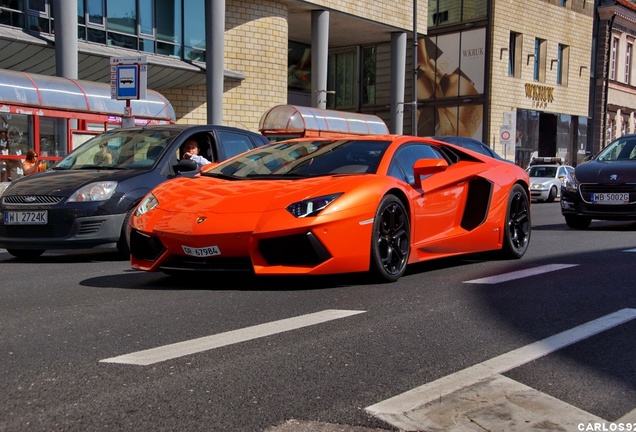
x: 390, y: 240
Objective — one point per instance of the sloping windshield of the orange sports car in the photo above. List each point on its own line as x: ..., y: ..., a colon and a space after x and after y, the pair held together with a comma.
x: 305, y: 158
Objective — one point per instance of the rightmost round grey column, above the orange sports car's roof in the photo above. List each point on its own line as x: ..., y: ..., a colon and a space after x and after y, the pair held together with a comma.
x: 398, y: 73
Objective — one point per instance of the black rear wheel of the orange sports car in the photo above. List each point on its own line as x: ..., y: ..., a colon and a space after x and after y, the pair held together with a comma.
x: 518, y: 225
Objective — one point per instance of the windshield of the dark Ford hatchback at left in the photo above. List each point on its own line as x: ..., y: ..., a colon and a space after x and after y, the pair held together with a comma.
x: 120, y: 149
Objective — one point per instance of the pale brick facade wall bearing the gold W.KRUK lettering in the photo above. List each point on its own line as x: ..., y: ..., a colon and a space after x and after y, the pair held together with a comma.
x: 571, y: 26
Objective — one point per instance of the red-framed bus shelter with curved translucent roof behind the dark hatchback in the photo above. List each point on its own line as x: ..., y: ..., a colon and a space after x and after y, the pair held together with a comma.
x: 53, y: 115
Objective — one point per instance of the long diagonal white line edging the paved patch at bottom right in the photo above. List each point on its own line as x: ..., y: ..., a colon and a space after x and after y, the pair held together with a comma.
x: 401, y: 409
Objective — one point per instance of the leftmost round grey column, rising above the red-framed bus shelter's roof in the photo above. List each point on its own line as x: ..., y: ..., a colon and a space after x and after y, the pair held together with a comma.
x: 65, y: 12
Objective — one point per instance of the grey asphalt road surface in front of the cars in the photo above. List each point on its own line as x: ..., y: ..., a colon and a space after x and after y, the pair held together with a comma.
x: 292, y: 354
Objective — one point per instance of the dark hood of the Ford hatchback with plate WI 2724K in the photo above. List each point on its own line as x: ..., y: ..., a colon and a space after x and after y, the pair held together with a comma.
x: 64, y: 182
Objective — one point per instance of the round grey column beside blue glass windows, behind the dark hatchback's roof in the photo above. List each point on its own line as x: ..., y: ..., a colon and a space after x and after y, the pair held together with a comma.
x: 214, y: 55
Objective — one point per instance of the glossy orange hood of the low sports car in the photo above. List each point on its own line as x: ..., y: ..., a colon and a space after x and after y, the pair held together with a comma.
x: 256, y: 196
